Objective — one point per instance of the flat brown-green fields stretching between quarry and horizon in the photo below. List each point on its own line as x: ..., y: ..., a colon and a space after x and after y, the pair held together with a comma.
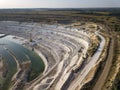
x: 108, y: 17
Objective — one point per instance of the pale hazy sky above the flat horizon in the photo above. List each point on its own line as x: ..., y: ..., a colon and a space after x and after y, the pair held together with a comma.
x: 58, y: 3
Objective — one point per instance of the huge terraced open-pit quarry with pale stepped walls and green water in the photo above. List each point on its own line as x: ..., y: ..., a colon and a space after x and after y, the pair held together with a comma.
x: 35, y: 56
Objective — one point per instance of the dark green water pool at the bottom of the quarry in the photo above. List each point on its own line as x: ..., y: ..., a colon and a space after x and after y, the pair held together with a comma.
x: 22, y: 54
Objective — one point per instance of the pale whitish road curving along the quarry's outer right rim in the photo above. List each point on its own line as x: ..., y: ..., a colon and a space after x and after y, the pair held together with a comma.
x: 78, y: 81
